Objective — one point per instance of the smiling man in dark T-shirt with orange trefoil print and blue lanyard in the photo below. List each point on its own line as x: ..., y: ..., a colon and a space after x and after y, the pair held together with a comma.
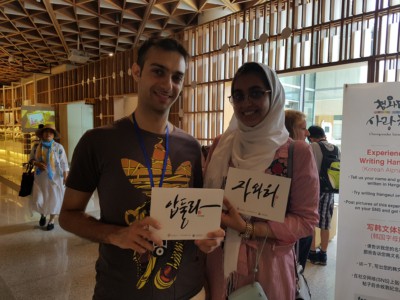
x: 123, y: 161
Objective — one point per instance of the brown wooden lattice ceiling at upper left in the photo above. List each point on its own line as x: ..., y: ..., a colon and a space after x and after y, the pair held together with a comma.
x: 36, y: 35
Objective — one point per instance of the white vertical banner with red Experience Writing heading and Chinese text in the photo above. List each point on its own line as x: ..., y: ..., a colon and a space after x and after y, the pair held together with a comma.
x: 368, y: 254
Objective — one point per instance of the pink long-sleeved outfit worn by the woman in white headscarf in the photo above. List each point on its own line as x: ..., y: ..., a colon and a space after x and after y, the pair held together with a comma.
x: 276, y: 270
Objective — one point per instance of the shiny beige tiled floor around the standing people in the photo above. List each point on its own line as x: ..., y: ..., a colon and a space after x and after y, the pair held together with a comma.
x: 37, y: 264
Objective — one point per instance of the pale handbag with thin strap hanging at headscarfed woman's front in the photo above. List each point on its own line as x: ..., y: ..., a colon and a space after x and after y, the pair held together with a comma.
x: 254, y: 290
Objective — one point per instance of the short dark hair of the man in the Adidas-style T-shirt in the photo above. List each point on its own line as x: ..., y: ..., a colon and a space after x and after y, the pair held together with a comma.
x: 166, y: 44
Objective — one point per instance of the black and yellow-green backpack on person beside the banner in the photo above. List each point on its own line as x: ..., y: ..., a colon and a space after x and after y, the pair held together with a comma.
x: 330, y: 170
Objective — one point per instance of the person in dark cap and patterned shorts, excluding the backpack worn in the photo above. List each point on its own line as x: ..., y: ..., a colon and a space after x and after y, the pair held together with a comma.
x: 318, y: 256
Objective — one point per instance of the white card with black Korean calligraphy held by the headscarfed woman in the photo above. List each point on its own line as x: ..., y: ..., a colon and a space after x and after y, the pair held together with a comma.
x: 257, y: 194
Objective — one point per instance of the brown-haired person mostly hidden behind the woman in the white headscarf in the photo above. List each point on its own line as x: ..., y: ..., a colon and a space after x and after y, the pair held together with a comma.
x: 296, y: 124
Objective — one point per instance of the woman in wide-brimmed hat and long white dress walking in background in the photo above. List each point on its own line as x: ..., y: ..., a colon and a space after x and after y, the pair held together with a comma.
x: 51, y: 172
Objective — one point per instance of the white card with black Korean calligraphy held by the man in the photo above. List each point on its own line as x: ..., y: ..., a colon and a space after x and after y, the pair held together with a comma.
x: 186, y: 213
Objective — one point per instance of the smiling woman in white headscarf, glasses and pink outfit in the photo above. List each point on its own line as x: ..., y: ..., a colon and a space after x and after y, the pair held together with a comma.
x: 257, y: 139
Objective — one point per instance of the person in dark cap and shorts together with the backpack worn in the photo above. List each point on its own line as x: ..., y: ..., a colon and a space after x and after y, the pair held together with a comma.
x: 326, y: 154
